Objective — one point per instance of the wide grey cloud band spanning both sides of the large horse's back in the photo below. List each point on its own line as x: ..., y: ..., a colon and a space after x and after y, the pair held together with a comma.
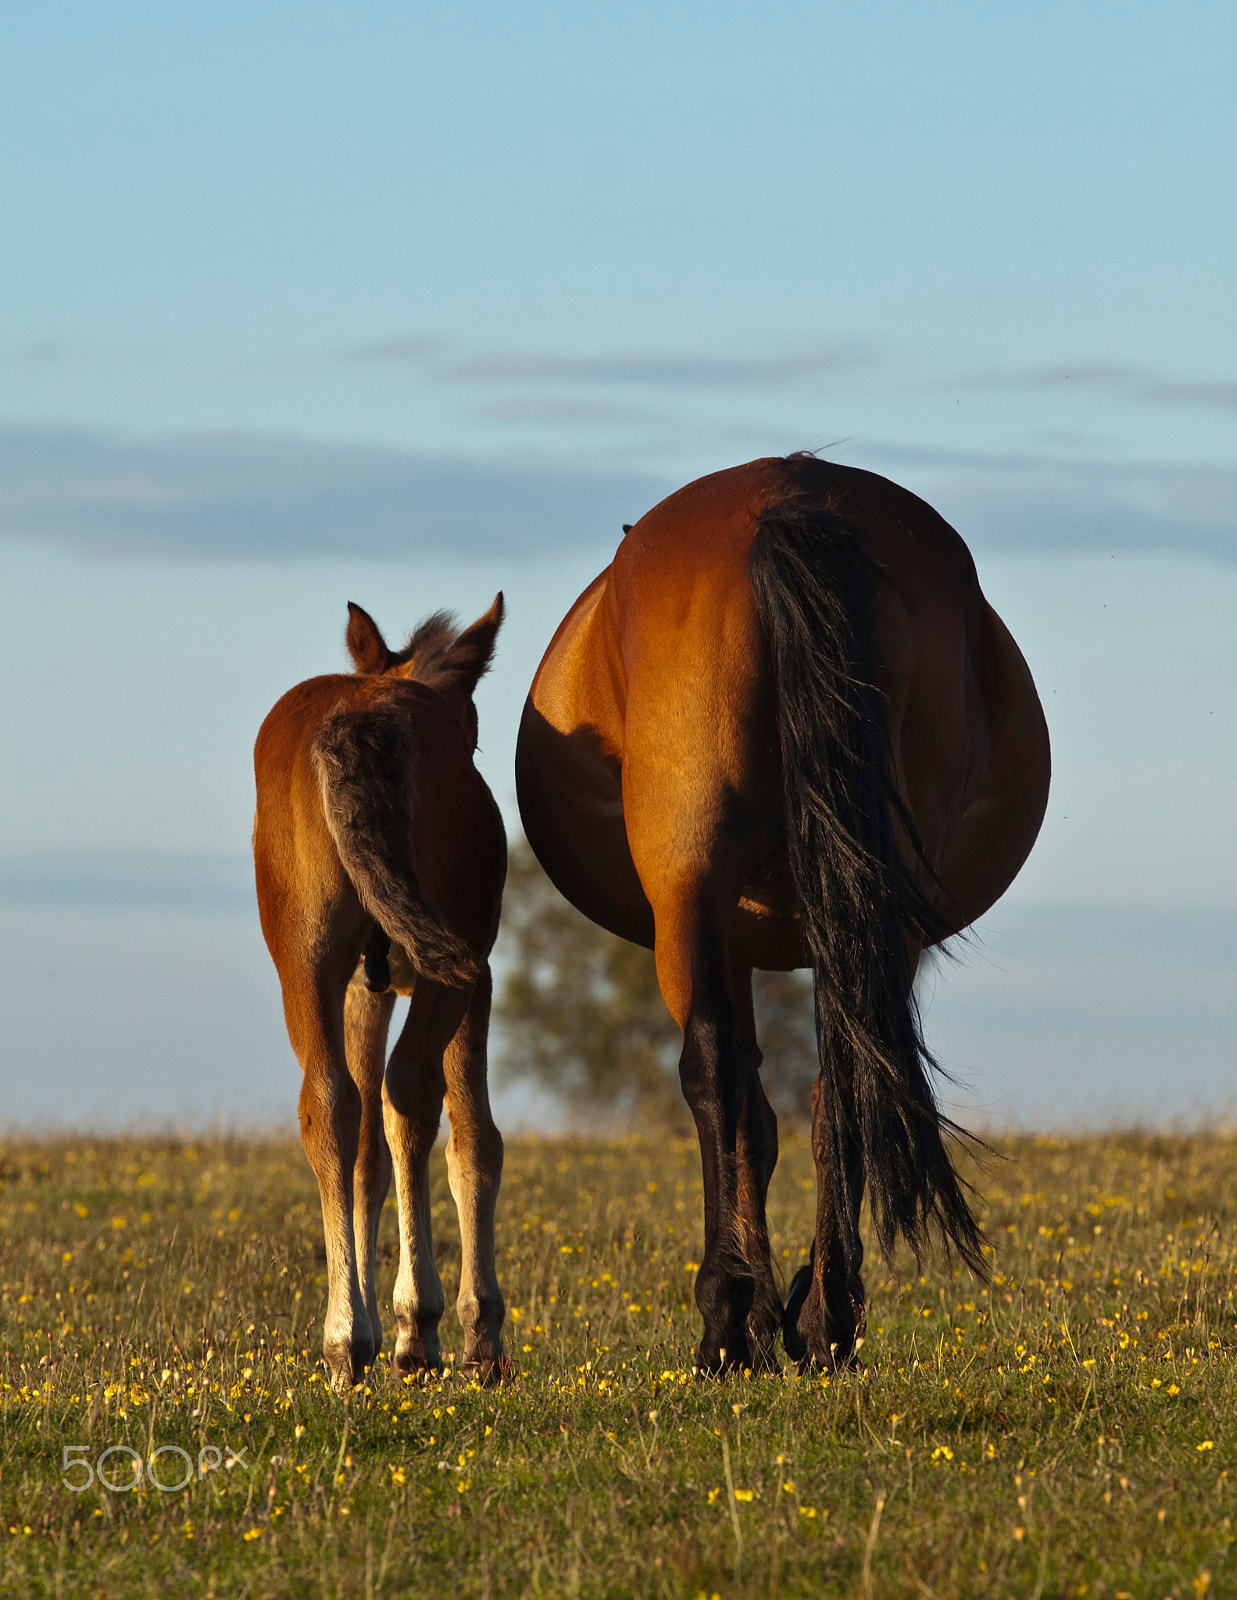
x: 234, y: 497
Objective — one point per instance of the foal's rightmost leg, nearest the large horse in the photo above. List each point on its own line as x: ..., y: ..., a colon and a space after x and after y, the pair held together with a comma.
x: 474, y: 1169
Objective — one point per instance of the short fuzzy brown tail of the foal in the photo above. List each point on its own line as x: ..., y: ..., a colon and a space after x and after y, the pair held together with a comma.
x: 366, y: 767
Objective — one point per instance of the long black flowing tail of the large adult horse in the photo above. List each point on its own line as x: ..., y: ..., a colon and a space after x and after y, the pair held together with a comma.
x: 815, y: 594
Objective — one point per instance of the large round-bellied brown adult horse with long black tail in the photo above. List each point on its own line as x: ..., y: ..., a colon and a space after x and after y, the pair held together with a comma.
x: 785, y: 729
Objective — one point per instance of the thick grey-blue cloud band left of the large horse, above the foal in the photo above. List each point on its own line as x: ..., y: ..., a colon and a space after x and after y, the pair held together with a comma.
x: 242, y: 495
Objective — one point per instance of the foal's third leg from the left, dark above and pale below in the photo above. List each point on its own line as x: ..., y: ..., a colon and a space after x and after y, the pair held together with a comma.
x: 412, y: 1110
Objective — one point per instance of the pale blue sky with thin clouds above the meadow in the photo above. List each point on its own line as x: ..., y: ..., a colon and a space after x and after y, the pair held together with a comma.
x: 398, y: 305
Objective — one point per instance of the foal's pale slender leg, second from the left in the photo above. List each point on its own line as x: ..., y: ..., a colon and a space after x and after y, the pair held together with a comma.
x: 367, y: 1018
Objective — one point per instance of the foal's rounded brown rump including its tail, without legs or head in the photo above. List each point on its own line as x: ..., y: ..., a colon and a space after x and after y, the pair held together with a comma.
x: 369, y: 812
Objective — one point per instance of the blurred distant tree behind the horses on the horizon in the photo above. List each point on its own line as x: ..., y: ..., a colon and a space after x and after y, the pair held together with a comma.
x: 580, y: 1014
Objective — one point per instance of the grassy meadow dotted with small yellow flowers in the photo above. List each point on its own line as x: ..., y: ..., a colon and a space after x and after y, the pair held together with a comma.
x: 1062, y: 1433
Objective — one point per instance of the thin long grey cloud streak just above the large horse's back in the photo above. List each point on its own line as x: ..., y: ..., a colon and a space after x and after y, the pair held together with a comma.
x: 659, y: 370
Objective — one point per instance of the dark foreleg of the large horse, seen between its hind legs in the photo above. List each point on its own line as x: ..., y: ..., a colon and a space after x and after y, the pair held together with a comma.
x: 758, y: 1156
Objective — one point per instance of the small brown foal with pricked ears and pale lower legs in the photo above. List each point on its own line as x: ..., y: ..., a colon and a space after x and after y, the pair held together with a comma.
x: 380, y: 858
